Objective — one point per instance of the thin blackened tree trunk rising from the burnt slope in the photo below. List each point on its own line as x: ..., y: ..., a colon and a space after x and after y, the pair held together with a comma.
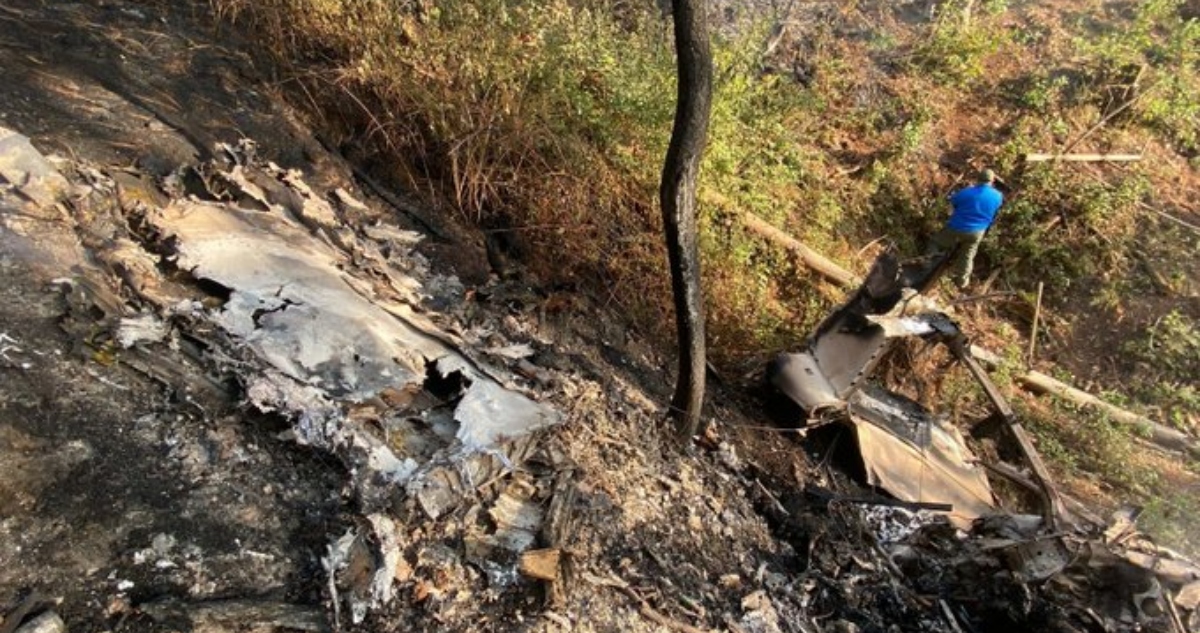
x: 677, y: 195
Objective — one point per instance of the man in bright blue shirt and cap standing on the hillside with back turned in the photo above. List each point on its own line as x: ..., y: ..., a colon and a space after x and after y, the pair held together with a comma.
x: 975, y: 213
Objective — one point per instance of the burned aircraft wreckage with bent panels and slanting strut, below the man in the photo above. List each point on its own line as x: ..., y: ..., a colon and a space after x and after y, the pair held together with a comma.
x: 922, y: 460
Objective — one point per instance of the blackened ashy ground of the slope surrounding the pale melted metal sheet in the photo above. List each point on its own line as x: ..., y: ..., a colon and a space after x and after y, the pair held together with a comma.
x: 131, y: 480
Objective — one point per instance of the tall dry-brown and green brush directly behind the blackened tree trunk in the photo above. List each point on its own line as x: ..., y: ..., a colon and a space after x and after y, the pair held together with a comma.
x: 557, y: 114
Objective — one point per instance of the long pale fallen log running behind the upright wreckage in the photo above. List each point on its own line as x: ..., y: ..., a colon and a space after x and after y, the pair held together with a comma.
x: 1163, y: 437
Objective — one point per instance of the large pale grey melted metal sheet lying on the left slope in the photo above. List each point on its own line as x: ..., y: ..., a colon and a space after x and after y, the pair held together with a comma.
x: 292, y: 304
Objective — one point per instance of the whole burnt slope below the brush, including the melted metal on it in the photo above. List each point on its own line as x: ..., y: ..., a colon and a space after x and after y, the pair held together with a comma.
x: 212, y: 419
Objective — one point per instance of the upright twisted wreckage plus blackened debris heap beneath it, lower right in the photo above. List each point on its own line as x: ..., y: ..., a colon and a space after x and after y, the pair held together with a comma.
x: 1075, y: 572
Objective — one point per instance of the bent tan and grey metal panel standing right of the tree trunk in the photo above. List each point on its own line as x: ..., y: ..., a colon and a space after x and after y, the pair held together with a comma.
x: 905, y: 449
